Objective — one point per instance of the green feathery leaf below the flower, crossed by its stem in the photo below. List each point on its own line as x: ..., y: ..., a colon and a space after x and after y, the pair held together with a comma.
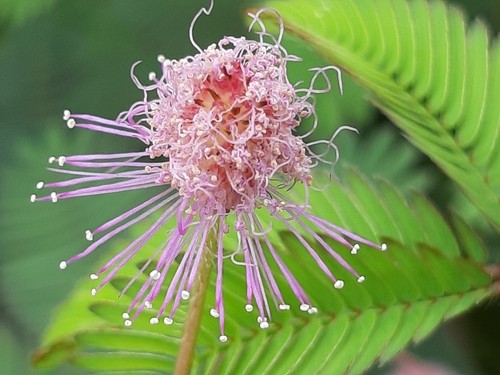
x: 408, y: 291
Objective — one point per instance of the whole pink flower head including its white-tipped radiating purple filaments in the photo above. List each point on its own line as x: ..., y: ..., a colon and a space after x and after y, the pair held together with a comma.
x: 219, y: 128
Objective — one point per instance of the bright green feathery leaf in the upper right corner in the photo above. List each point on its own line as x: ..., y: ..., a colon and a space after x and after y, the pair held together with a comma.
x: 435, y: 76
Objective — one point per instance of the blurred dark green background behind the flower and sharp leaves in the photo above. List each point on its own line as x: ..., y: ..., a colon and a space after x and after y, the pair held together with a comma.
x: 57, y: 54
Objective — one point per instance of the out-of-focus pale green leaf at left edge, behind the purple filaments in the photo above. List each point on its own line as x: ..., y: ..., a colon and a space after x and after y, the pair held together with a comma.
x: 34, y: 237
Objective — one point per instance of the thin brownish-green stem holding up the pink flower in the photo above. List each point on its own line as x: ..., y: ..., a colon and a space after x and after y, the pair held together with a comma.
x: 193, y: 319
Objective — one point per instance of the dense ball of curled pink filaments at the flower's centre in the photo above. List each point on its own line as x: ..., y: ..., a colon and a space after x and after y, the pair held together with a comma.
x: 225, y: 123
